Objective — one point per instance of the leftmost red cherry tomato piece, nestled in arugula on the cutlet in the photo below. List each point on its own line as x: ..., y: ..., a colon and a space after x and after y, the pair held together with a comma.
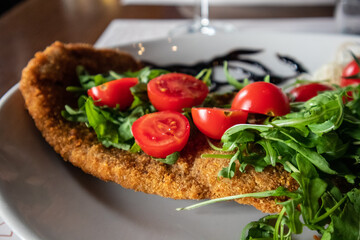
x: 114, y: 93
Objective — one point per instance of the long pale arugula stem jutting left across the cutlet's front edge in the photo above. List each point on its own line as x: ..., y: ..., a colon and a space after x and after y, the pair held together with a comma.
x: 255, y: 195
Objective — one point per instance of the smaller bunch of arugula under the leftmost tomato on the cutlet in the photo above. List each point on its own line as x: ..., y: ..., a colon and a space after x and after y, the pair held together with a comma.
x: 112, y: 127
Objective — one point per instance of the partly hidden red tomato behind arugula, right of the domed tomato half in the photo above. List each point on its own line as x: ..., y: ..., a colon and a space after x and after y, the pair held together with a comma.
x: 308, y: 91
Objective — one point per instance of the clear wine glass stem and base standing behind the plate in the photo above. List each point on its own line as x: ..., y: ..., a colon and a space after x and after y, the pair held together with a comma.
x: 201, y: 23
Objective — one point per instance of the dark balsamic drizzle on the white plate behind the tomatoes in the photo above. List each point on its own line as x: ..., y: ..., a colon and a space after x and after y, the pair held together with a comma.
x: 238, y: 60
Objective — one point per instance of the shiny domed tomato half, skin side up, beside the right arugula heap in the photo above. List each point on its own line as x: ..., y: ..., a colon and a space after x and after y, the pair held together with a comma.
x: 262, y: 98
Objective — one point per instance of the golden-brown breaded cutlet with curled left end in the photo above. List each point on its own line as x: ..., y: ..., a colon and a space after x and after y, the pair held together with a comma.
x: 43, y: 86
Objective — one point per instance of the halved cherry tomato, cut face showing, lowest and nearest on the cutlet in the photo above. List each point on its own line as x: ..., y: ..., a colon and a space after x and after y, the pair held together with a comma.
x: 160, y: 134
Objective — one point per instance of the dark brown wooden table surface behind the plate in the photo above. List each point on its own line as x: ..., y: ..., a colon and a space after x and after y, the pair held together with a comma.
x: 34, y: 24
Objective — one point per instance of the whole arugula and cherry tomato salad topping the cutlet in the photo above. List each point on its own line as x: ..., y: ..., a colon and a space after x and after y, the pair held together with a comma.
x: 318, y: 142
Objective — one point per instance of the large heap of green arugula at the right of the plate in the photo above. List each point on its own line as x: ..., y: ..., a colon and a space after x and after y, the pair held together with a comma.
x: 319, y: 144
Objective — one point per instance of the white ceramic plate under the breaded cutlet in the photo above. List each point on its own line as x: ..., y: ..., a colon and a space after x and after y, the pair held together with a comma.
x: 43, y: 197
